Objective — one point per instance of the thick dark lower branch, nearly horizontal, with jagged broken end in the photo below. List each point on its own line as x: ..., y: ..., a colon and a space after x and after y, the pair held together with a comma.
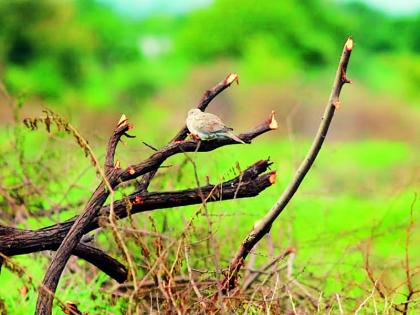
x: 248, y: 184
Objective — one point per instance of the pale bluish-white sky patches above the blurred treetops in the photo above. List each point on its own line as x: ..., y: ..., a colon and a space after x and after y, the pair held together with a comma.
x: 140, y: 8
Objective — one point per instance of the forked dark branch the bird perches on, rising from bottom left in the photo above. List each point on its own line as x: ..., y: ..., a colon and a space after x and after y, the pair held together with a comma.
x: 113, y: 176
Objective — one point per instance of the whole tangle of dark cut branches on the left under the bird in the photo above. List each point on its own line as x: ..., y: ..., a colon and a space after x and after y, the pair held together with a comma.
x: 65, y: 237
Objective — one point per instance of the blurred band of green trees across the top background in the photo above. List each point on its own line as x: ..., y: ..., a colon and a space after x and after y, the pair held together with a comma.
x: 86, y: 52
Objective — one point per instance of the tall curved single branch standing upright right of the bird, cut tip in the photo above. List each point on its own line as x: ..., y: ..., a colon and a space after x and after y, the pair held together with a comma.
x: 263, y: 226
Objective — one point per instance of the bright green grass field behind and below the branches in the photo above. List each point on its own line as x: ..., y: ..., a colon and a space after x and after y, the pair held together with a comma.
x: 355, y: 192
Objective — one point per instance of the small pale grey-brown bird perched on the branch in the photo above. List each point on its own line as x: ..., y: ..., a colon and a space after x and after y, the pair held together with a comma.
x: 207, y: 126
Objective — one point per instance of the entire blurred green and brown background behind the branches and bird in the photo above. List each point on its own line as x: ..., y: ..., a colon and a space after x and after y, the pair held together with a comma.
x: 91, y: 61
